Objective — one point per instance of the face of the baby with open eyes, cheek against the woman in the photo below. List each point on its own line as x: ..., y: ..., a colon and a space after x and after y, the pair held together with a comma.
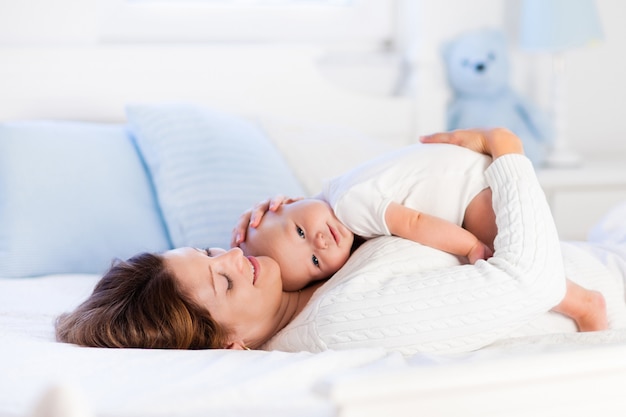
x: 306, y: 240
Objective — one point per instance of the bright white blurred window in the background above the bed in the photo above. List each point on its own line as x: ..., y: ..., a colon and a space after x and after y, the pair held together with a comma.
x: 245, y: 20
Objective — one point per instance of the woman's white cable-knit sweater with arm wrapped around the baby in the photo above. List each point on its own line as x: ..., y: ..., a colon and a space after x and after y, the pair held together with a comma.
x: 402, y: 296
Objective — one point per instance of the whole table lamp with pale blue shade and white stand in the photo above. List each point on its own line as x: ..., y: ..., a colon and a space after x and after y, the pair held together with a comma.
x: 556, y: 26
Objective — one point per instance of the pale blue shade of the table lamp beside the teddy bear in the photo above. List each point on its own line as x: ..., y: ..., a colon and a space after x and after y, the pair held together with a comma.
x: 557, y: 25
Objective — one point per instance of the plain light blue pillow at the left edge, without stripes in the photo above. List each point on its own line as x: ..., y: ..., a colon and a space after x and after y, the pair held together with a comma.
x: 73, y: 196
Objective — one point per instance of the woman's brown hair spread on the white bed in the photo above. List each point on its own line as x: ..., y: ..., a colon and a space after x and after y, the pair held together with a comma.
x: 139, y: 304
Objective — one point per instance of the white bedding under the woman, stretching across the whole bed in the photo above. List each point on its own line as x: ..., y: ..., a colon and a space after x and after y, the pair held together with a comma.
x: 133, y: 382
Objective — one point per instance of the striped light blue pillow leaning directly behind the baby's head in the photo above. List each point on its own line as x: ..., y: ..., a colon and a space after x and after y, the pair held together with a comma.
x: 207, y: 167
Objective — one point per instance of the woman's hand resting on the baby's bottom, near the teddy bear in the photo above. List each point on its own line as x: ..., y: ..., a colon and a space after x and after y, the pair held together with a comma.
x: 495, y: 142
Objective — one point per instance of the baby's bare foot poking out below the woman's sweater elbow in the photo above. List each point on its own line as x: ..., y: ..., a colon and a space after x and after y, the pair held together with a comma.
x: 586, y: 307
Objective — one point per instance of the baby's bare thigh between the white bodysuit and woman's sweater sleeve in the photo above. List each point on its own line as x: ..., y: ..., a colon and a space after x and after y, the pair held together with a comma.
x: 480, y: 220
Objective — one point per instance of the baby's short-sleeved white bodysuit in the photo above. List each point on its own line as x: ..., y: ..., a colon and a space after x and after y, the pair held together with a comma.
x: 437, y: 179
